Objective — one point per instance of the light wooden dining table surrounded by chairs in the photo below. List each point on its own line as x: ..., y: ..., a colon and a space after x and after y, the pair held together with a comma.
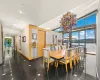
x: 56, y: 55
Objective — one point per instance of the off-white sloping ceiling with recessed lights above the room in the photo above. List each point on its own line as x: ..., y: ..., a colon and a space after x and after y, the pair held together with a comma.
x: 15, y: 15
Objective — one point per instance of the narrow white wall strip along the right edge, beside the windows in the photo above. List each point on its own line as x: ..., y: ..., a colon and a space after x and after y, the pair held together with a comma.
x: 98, y: 43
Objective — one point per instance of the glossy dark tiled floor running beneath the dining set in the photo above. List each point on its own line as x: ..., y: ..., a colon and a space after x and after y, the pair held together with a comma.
x: 19, y: 68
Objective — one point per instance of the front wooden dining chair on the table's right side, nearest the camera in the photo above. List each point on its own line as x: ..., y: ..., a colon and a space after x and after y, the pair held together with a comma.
x: 67, y: 59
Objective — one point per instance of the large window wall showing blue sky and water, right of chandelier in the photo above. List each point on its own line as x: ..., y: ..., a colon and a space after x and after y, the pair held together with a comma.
x: 84, y: 35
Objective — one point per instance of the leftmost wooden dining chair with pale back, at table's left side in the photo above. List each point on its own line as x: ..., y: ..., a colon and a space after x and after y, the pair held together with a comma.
x: 46, y: 57
